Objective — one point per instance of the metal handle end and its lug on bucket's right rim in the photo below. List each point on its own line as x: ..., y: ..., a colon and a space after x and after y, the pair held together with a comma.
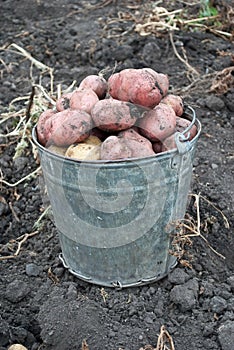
x: 182, y: 138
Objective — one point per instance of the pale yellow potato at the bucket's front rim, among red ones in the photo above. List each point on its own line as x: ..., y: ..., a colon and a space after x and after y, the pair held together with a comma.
x: 84, y: 151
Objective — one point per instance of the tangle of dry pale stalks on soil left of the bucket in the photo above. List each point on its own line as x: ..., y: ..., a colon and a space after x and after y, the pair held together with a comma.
x: 35, y: 103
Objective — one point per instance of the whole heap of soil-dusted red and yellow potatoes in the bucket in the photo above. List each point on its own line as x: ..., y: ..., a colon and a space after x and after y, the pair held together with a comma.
x: 130, y: 115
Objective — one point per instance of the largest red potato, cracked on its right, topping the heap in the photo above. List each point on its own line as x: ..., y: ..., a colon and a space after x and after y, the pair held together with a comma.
x: 144, y: 87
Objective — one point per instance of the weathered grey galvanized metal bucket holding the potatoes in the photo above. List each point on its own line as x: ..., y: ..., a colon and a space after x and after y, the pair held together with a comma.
x: 113, y: 217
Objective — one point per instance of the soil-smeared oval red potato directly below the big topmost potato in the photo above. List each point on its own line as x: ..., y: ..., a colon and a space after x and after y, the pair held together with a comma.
x: 115, y: 115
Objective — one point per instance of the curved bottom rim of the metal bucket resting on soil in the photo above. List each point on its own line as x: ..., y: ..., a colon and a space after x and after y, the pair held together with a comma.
x: 118, y: 284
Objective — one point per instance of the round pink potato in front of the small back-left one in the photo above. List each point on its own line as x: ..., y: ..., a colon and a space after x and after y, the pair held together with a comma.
x: 83, y: 99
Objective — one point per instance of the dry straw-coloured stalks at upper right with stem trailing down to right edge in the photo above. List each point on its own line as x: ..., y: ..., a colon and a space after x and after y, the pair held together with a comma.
x: 155, y: 19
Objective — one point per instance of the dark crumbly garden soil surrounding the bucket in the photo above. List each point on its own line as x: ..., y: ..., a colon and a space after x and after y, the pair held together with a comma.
x: 44, y: 306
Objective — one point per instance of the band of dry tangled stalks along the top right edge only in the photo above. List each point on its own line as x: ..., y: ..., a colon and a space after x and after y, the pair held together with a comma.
x: 161, y: 17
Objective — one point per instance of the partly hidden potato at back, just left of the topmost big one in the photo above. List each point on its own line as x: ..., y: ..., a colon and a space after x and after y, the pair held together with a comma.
x: 95, y: 82
